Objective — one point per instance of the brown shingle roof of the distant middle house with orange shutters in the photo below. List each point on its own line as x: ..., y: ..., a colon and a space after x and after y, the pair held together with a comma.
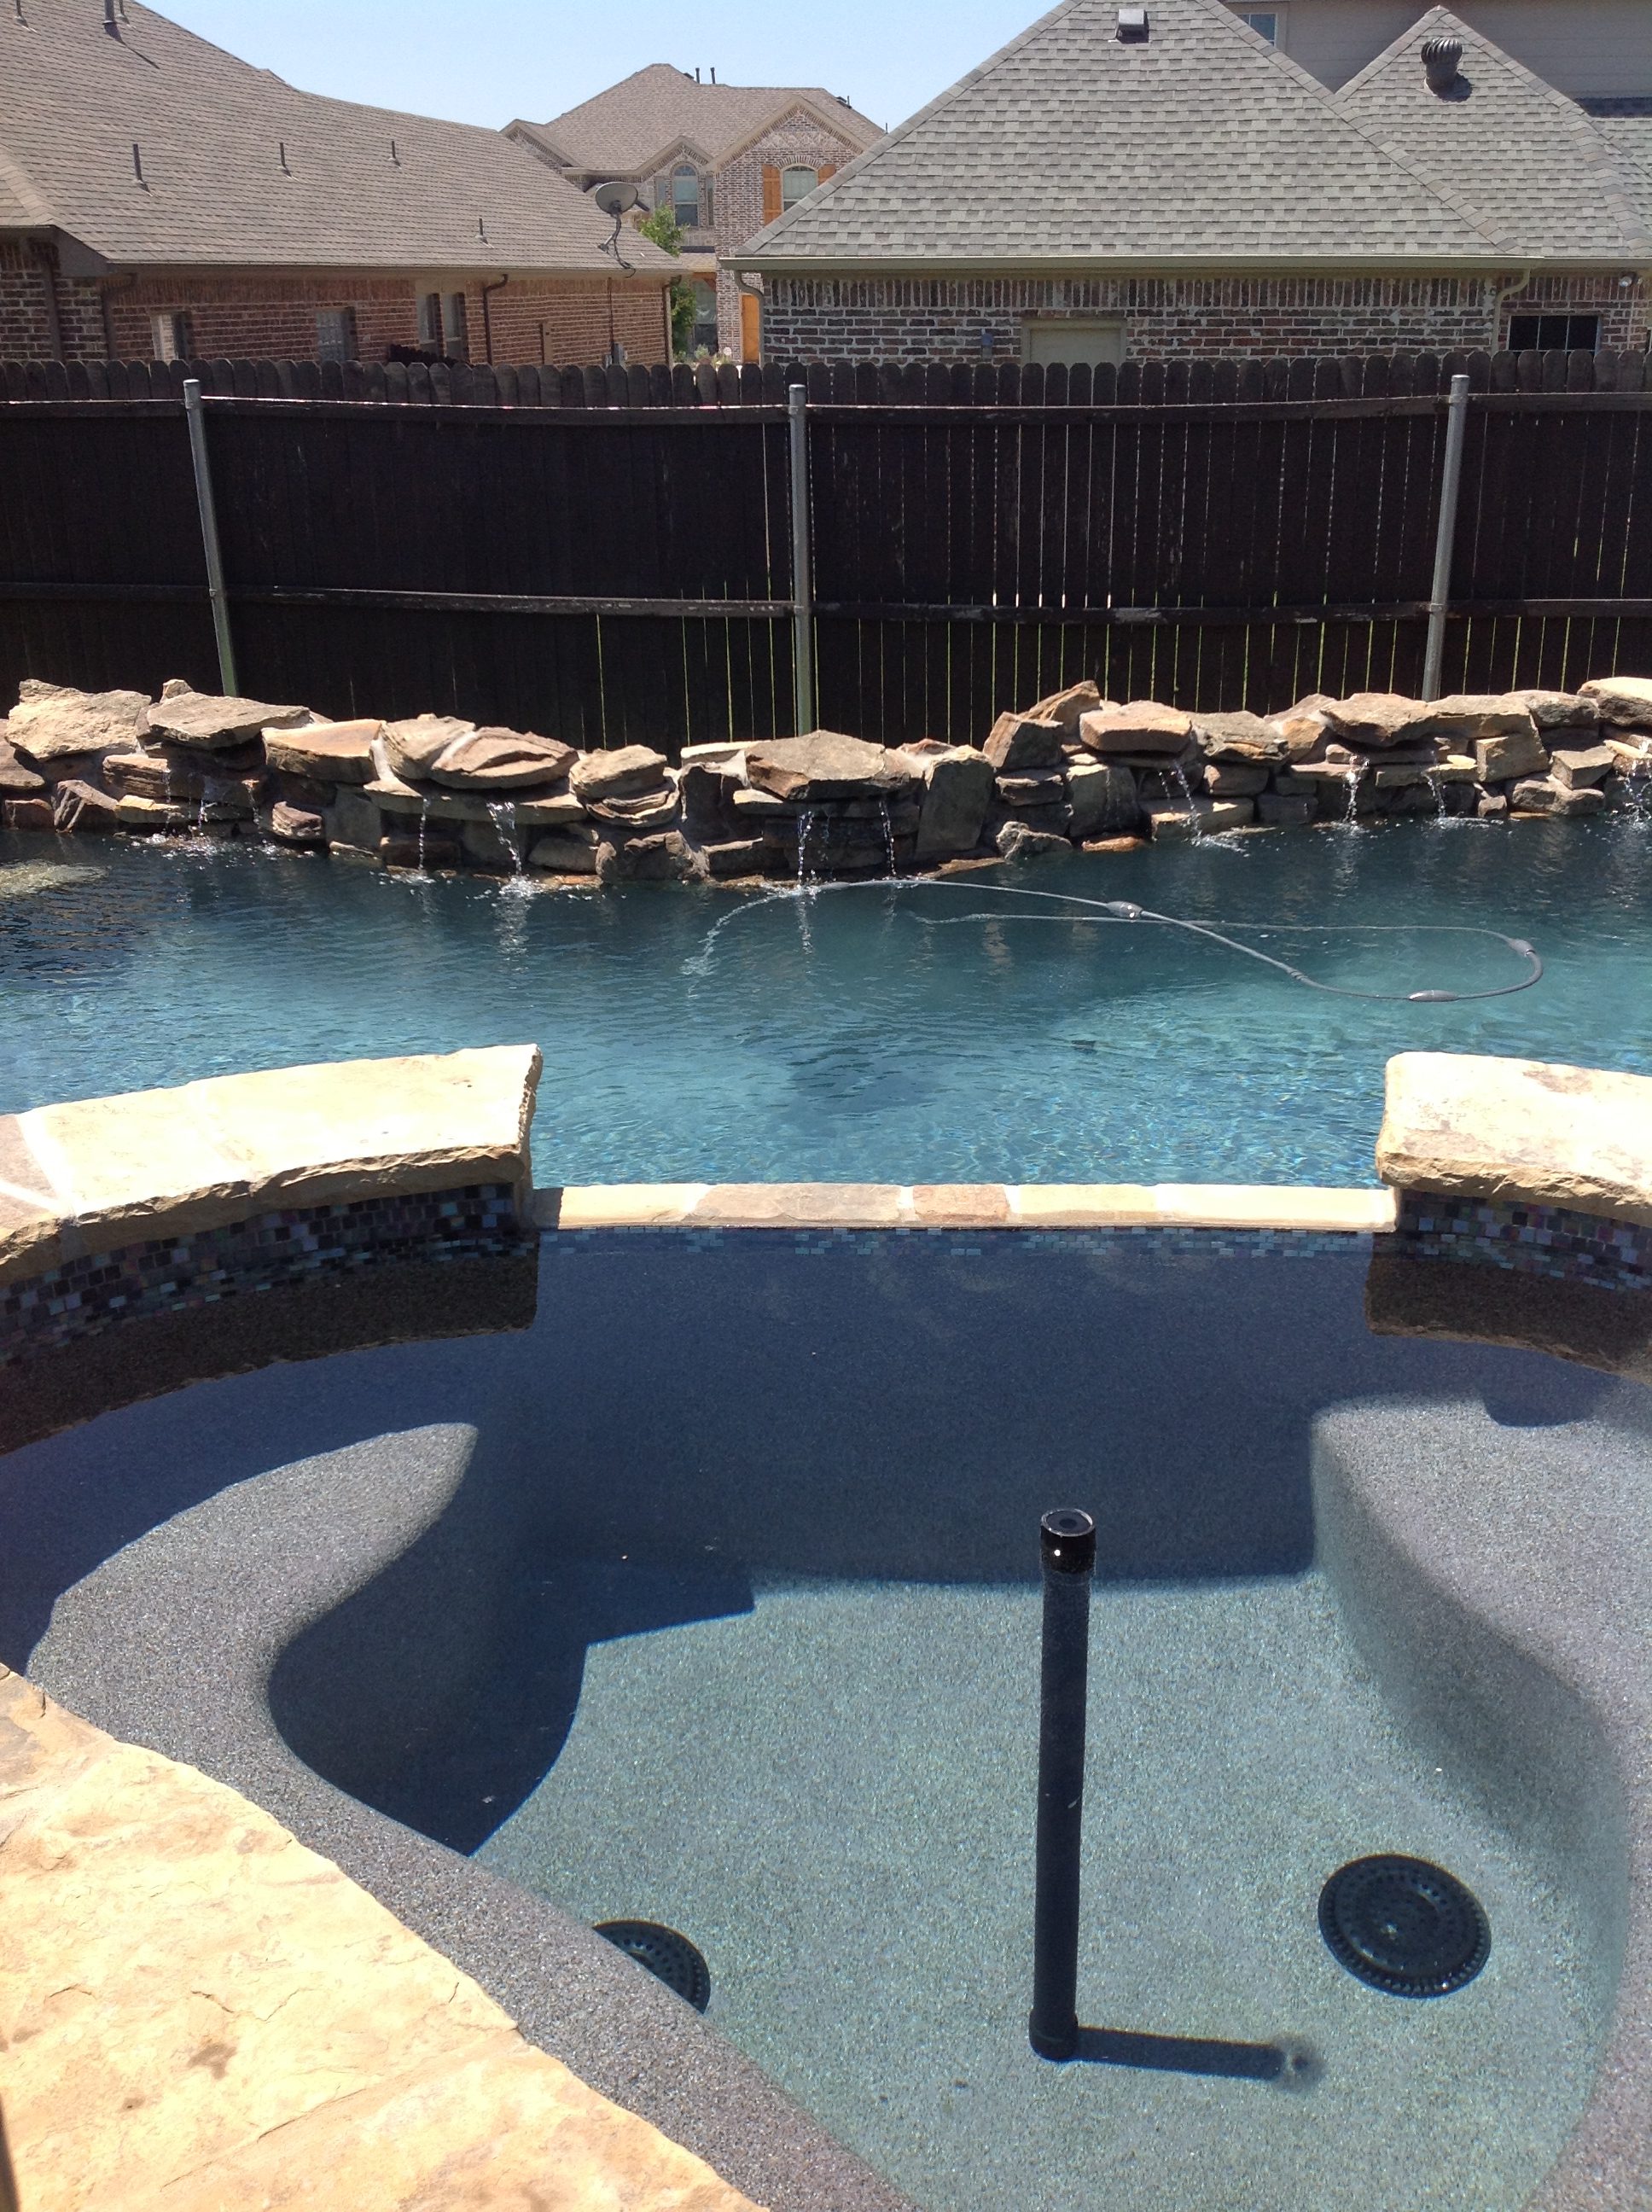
x: 638, y: 123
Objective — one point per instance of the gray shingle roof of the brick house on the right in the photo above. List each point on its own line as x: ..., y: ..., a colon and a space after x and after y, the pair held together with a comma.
x: 1071, y: 149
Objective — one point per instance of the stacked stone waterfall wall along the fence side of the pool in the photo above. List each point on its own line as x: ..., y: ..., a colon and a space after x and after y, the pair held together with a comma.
x: 1076, y: 771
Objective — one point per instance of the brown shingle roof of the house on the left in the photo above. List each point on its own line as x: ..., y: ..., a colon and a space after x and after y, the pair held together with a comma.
x: 216, y: 187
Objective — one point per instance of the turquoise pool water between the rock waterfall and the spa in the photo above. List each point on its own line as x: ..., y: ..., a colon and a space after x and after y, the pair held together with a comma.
x: 861, y: 1034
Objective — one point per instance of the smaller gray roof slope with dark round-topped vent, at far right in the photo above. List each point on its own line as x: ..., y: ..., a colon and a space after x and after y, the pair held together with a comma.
x: 1523, y: 158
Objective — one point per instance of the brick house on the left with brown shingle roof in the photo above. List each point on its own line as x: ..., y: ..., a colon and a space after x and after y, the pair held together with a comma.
x: 160, y: 198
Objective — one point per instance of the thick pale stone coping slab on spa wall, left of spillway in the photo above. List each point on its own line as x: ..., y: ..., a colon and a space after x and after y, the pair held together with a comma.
x: 96, y: 1176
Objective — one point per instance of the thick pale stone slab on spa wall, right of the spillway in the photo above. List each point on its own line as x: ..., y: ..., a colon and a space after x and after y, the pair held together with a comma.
x: 1520, y: 1131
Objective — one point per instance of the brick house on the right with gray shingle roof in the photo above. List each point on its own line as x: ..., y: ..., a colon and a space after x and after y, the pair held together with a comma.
x: 1164, y: 180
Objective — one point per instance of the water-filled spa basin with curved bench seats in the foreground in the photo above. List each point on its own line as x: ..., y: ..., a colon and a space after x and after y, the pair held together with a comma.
x: 711, y: 1598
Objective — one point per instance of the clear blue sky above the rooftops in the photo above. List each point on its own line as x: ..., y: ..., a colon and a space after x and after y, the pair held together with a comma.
x: 490, y: 61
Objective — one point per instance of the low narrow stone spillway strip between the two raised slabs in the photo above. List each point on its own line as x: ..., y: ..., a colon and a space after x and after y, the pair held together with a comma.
x: 965, y: 1207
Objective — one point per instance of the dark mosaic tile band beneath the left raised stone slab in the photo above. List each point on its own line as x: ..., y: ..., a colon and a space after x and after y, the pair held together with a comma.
x: 176, y: 1273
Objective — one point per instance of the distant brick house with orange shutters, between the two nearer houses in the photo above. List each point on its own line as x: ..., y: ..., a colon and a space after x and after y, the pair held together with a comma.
x: 724, y: 158
